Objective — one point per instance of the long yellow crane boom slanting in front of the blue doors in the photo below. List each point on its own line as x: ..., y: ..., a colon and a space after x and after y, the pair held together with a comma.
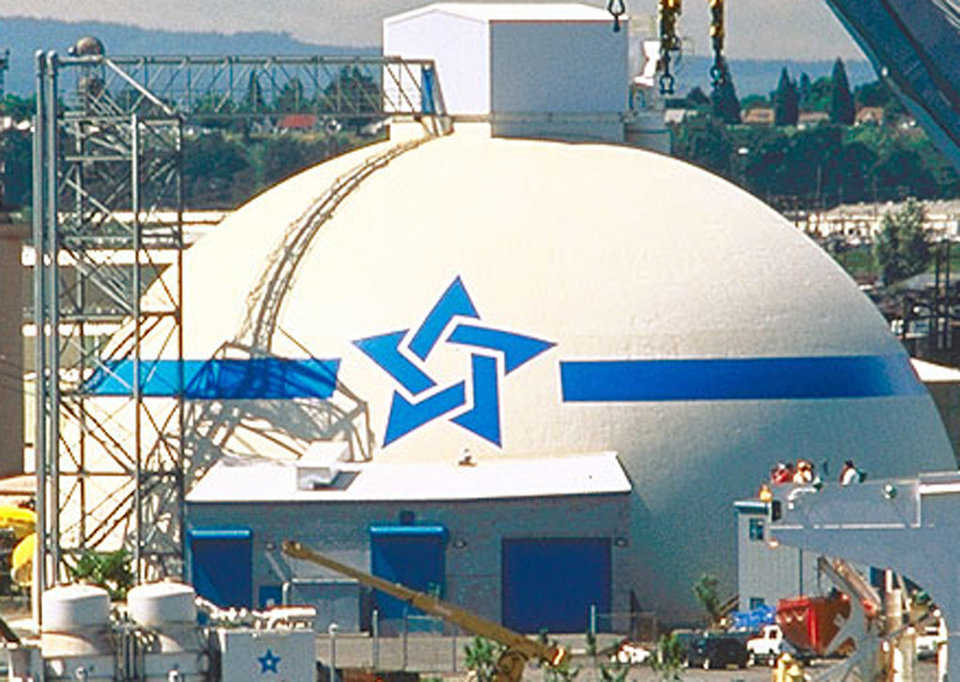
x: 519, y: 648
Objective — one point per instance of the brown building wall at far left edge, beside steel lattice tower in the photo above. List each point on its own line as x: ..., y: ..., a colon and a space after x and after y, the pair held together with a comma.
x: 11, y: 347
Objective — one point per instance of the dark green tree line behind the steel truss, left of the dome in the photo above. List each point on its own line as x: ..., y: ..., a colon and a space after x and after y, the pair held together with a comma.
x: 228, y: 159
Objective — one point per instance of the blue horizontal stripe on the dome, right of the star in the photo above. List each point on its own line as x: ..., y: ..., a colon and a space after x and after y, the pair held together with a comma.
x: 799, y: 378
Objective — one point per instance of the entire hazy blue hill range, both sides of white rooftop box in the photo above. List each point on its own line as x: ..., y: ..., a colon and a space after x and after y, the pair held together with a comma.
x: 24, y: 36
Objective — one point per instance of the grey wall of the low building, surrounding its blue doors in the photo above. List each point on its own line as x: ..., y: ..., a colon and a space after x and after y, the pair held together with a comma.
x: 473, y: 553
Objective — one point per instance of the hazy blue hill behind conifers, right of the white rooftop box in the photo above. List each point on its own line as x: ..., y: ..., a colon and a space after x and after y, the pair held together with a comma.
x: 760, y: 76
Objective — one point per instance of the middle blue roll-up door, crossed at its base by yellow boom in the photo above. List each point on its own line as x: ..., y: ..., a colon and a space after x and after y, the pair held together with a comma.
x: 410, y: 555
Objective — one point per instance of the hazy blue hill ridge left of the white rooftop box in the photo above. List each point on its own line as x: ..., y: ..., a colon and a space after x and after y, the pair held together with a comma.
x: 24, y: 36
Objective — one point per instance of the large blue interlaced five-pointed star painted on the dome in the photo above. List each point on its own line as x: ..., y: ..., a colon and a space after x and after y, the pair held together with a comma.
x: 402, y: 358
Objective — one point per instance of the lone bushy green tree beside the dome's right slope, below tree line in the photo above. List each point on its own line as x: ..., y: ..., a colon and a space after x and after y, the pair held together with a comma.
x: 901, y: 247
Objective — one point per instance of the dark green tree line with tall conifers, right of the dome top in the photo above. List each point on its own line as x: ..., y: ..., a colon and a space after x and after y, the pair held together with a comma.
x: 819, y: 165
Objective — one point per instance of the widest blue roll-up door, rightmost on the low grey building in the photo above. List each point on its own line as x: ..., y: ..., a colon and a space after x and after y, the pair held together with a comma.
x: 550, y: 583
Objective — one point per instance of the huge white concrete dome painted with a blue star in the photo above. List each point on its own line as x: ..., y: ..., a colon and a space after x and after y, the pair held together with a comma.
x: 605, y: 253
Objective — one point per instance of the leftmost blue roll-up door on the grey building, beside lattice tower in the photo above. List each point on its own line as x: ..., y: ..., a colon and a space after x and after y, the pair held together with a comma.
x: 221, y: 565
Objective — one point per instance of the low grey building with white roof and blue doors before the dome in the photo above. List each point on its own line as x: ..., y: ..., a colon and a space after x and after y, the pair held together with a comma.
x: 520, y: 541
